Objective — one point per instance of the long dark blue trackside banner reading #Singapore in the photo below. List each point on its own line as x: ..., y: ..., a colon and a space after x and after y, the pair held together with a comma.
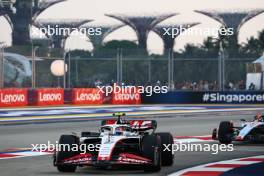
x: 214, y: 97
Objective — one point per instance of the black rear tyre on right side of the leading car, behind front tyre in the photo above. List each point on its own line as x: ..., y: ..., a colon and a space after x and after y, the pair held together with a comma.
x: 166, y: 156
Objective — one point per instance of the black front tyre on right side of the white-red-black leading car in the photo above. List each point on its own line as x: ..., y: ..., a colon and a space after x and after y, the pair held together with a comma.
x: 151, y: 149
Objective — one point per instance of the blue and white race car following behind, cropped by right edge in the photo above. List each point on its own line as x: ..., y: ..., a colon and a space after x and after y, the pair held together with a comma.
x: 252, y: 131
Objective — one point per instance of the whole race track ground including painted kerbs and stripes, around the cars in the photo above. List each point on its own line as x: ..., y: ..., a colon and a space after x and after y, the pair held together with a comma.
x: 21, y: 127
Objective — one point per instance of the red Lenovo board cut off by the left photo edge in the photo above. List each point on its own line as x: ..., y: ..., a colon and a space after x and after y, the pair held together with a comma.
x: 13, y: 97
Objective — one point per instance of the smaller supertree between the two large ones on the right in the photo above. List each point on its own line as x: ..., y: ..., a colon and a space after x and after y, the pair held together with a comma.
x: 169, y: 39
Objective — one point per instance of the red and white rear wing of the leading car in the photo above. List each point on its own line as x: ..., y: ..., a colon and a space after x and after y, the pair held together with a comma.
x: 138, y: 125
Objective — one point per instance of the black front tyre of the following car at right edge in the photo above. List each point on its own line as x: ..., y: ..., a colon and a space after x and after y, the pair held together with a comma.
x: 225, y: 132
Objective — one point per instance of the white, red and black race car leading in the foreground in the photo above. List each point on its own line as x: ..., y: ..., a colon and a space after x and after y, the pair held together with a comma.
x: 119, y: 142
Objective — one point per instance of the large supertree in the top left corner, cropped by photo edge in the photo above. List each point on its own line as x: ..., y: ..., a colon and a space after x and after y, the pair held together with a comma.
x: 21, y: 14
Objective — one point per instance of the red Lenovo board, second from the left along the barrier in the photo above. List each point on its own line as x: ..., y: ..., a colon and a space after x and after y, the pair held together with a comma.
x: 48, y: 96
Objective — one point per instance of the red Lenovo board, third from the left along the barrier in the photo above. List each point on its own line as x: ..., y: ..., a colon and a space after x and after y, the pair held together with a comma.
x: 87, y: 96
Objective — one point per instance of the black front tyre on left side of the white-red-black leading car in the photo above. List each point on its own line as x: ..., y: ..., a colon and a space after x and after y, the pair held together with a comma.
x: 61, y: 155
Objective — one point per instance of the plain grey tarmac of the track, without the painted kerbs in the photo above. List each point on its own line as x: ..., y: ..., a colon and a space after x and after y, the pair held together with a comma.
x: 19, y: 136
